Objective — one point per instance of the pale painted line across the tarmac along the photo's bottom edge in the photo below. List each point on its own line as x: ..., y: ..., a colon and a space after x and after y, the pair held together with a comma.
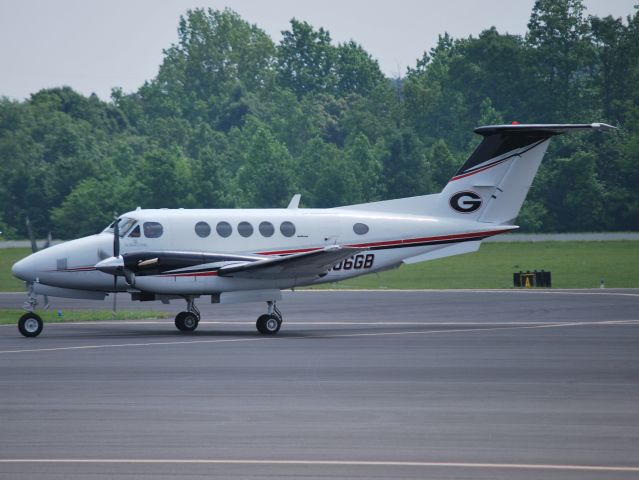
x: 354, y: 463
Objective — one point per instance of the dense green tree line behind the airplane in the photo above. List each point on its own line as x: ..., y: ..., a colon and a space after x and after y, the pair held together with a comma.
x: 233, y: 119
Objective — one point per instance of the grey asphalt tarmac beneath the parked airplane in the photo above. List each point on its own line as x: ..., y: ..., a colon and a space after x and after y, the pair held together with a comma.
x: 437, y: 384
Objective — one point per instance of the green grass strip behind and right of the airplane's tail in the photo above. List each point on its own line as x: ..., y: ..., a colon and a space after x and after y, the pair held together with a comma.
x: 572, y: 265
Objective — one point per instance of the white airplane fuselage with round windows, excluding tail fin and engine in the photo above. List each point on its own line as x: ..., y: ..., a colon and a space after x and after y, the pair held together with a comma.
x: 387, y: 239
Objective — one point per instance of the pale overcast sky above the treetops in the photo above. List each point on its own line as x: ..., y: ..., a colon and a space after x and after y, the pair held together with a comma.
x: 96, y: 45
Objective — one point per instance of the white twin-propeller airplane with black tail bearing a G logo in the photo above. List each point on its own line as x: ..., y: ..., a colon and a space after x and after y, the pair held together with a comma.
x: 246, y: 255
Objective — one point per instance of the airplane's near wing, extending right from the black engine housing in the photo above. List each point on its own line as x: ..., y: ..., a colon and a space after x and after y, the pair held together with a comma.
x: 306, y: 264
